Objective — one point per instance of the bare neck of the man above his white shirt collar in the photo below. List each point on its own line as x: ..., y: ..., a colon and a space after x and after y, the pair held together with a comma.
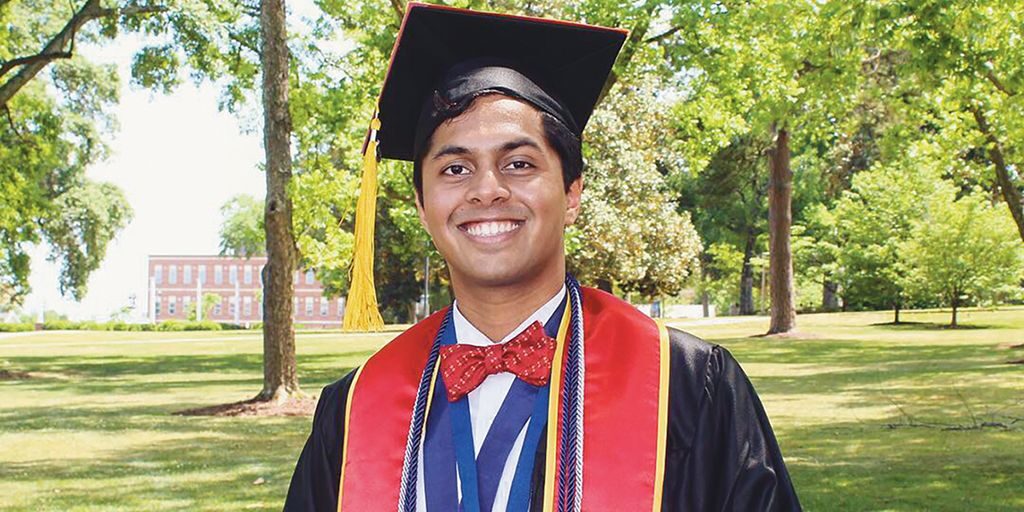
x: 496, y: 311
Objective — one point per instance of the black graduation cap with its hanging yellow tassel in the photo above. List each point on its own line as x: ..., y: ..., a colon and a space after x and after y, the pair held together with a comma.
x: 453, y: 55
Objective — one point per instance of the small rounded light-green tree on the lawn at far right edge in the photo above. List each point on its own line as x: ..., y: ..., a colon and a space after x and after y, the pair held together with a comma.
x: 963, y: 249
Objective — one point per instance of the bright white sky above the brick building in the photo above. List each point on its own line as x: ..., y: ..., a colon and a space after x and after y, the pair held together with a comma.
x: 178, y: 160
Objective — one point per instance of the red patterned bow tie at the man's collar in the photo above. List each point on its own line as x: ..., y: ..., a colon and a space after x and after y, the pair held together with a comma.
x: 528, y: 356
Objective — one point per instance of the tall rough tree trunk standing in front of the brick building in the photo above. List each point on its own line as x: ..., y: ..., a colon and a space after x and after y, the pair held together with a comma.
x: 280, y: 377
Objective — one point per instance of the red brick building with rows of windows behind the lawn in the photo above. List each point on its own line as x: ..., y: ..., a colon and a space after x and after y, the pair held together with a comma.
x: 179, y: 283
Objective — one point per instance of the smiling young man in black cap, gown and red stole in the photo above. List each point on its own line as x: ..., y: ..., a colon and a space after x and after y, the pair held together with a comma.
x: 530, y: 393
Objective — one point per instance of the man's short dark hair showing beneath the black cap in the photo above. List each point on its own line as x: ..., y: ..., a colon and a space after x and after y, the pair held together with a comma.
x: 567, y: 145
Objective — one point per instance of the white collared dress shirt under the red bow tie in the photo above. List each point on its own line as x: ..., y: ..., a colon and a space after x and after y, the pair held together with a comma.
x: 487, y: 400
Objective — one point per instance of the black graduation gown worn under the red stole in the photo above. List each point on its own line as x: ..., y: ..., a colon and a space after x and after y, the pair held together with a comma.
x: 721, y: 453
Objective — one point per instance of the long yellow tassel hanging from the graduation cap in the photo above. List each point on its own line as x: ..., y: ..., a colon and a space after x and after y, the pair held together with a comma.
x: 361, y: 309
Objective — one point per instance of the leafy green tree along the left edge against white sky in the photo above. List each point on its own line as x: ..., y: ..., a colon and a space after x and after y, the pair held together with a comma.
x: 53, y: 132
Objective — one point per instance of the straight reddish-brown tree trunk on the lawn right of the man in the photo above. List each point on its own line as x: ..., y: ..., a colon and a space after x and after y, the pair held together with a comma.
x: 784, y: 313
